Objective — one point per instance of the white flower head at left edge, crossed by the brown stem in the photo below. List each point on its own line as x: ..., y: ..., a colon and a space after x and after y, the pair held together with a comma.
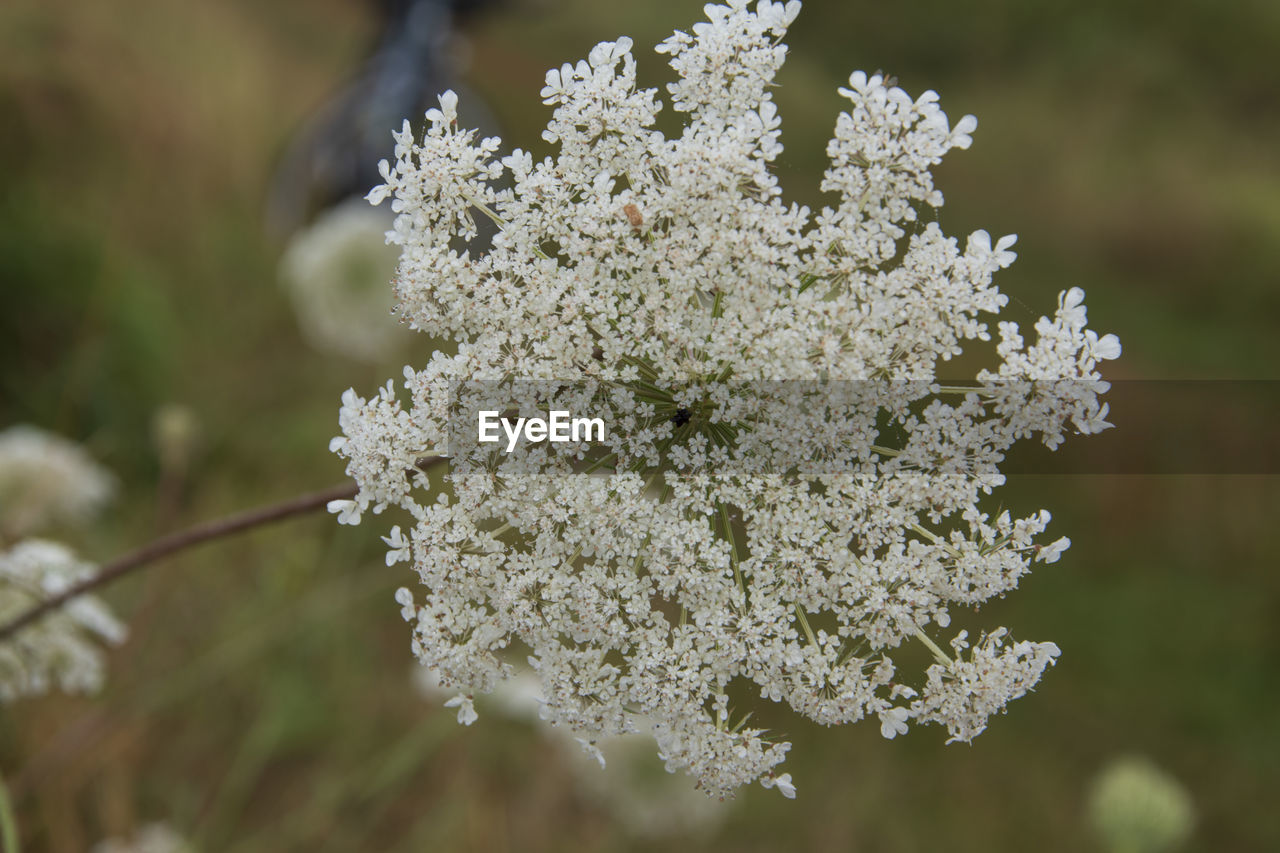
x: 63, y: 649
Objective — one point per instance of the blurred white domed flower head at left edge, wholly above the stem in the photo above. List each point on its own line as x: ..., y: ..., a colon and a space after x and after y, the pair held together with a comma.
x: 47, y: 480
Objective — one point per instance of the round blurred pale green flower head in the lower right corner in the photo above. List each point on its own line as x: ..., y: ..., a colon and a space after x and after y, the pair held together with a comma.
x: 1137, y: 808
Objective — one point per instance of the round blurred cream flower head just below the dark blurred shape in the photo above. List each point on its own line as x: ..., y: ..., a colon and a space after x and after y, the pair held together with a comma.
x: 337, y: 273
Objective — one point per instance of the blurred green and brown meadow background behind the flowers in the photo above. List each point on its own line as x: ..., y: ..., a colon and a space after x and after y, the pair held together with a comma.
x: 264, y: 701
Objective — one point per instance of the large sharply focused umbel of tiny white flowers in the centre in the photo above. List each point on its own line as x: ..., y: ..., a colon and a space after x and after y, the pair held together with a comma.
x: 662, y: 270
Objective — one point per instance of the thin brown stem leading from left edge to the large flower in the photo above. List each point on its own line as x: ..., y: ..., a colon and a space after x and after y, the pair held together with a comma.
x: 181, y: 541
